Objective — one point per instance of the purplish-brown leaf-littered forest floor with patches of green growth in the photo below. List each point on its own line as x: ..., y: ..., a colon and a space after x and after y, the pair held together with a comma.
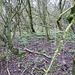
x: 33, y: 62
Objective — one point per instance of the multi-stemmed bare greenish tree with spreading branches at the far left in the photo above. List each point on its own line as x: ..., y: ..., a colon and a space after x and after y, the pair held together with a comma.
x: 10, y: 19
